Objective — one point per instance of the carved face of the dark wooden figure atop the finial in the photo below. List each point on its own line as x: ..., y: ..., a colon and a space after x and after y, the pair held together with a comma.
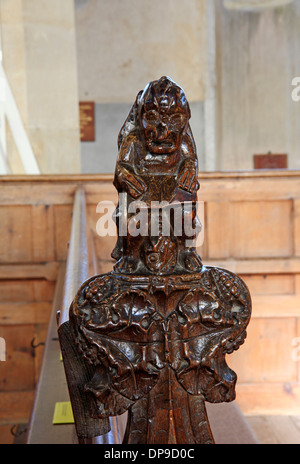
x: 164, y: 117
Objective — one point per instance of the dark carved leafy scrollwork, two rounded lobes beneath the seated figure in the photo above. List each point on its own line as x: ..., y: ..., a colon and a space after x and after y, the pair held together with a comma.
x: 130, y: 339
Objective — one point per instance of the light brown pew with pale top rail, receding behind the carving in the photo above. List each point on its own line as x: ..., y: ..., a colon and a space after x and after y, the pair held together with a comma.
x: 227, y: 422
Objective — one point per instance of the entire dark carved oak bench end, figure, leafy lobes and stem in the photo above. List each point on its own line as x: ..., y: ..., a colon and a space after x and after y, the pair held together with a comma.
x: 154, y: 332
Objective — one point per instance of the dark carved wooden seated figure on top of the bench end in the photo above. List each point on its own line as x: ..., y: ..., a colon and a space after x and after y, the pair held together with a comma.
x: 158, y: 162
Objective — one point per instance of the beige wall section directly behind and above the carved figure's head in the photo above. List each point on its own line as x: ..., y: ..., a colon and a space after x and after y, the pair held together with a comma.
x: 124, y: 44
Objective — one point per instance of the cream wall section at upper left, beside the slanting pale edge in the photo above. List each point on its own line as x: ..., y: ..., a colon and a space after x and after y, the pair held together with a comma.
x: 39, y: 57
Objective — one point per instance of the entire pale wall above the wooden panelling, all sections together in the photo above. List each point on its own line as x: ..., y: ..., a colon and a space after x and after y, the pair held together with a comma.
x: 237, y: 66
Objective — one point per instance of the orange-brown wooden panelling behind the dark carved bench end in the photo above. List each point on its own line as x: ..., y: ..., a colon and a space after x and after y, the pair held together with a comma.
x: 264, y: 210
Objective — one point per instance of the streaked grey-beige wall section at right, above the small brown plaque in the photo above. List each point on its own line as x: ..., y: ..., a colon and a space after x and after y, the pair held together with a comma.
x: 258, y: 55
